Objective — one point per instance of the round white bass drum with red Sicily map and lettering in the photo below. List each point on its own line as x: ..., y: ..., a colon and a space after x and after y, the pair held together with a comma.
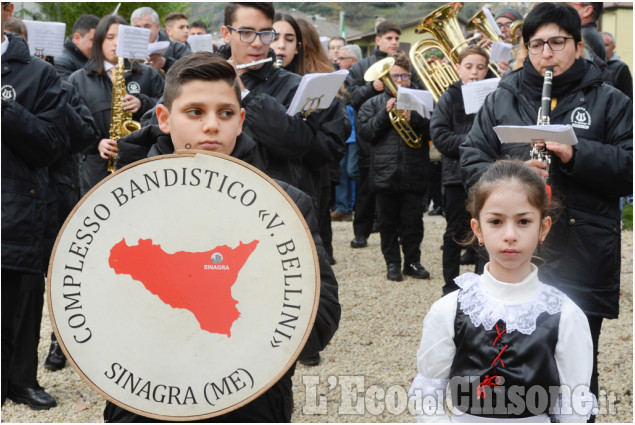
x: 183, y: 286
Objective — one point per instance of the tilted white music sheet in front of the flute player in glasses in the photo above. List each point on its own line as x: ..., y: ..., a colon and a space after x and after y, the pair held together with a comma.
x: 314, y: 88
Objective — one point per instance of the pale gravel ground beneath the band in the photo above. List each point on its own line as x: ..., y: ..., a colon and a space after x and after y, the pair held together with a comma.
x: 367, y: 369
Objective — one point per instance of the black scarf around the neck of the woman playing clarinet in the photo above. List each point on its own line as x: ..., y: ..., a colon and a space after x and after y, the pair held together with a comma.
x: 562, y: 84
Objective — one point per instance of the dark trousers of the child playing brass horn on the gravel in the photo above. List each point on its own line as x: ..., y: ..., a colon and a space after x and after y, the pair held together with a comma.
x: 400, y: 217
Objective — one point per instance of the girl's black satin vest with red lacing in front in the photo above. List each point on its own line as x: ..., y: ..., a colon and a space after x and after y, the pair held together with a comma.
x: 504, y: 375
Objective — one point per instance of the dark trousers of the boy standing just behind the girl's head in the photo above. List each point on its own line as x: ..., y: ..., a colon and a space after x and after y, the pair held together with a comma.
x: 457, y: 229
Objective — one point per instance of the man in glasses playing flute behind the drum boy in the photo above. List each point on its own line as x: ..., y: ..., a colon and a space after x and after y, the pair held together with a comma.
x: 266, y: 91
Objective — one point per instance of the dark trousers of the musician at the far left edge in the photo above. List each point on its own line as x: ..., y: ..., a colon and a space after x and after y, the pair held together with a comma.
x: 24, y: 318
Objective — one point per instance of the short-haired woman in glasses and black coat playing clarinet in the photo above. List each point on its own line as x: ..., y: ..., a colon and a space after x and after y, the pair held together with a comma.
x: 582, y: 253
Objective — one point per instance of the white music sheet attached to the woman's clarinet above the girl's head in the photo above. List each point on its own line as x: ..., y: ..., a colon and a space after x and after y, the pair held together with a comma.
x: 558, y: 133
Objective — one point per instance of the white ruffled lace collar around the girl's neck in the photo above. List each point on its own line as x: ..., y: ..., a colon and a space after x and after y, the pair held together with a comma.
x: 486, y: 301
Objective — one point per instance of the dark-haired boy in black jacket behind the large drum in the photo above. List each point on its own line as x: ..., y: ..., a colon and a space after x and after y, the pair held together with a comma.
x: 202, y: 111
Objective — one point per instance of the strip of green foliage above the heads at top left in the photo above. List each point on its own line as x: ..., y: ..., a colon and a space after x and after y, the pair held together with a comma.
x: 68, y: 12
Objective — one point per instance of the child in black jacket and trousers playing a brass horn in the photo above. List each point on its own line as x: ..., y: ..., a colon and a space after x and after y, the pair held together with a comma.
x: 397, y: 177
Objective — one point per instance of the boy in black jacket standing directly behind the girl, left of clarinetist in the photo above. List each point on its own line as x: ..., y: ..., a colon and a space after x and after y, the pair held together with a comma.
x: 449, y: 126
